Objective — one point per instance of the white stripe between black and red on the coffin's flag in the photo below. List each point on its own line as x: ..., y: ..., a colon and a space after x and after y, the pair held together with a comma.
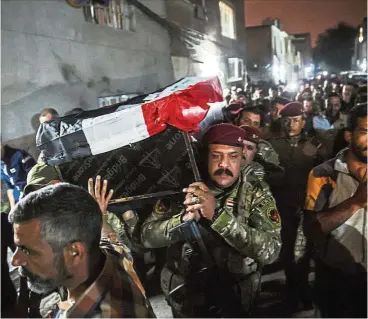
x: 111, y: 131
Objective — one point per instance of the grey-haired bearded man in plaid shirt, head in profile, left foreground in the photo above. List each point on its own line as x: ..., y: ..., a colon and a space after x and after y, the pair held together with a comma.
x: 60, y: 232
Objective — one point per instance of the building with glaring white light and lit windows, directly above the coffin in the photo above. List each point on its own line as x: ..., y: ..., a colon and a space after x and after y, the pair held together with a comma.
x: 212, y: 41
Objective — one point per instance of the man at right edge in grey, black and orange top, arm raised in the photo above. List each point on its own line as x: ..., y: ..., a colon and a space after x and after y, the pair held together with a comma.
x: 336, y: 224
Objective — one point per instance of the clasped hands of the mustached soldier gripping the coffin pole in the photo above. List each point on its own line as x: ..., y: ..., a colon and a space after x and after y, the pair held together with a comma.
x: 200, y: 199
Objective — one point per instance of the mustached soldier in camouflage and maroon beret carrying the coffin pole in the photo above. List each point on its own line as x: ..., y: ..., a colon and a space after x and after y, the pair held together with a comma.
x: 239, y: 223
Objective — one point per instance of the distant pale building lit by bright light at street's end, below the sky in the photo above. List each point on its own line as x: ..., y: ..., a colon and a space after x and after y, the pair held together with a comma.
x: 274, y: 58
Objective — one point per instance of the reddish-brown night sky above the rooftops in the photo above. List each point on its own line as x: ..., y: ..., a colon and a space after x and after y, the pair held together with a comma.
x: 299, y: 16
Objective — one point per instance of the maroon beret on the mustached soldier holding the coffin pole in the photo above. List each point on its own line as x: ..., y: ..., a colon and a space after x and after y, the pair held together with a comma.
x: 225, y: 134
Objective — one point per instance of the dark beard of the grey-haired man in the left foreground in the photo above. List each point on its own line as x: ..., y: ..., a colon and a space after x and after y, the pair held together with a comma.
x: 40, y: 285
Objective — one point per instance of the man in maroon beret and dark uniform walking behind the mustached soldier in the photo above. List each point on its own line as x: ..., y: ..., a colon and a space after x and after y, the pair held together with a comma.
x: 298, y: 154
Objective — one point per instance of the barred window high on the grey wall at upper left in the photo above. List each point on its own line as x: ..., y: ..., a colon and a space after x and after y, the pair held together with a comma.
x: 116, y: 14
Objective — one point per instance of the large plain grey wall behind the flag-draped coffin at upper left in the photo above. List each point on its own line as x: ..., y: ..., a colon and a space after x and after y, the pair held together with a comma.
x: 51, y: 57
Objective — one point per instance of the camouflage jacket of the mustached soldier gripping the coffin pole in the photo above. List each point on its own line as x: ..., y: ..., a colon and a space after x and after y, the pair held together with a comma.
x: 244, y: 235
